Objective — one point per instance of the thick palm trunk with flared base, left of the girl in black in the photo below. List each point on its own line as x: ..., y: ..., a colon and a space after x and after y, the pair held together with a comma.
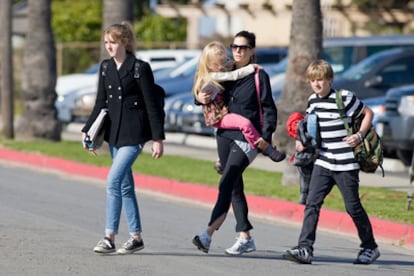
x: 38, y: 120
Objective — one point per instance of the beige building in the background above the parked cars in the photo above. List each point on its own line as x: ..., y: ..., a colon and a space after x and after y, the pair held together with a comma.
x: 270, y: 19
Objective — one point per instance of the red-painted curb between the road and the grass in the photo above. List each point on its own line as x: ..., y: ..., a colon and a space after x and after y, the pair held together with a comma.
x: 386, y: 231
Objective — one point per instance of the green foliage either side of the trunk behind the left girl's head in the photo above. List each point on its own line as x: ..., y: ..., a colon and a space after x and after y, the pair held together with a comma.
x: 81, y: 21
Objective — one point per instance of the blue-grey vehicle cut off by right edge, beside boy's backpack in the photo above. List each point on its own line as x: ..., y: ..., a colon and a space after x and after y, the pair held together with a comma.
x: 396, y: 124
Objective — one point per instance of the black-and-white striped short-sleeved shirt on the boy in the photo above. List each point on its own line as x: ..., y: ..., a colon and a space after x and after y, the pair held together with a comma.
x: 335, y: 154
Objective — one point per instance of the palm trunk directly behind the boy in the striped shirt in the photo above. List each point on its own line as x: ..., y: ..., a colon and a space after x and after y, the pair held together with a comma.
x: 305, y: 46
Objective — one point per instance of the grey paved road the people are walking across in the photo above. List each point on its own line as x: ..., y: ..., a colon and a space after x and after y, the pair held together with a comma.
x: 49, y: 223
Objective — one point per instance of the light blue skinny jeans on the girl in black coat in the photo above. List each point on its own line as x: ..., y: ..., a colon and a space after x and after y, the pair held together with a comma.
x: 120, y: 190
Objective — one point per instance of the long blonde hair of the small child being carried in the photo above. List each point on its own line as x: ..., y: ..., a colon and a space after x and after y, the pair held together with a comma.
x: 213, y: 52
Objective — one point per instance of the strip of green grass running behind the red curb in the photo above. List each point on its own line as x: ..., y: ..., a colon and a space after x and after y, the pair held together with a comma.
x: 379, y: 202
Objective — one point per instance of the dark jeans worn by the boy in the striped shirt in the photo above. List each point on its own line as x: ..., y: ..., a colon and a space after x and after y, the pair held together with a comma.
x: 321, y: 184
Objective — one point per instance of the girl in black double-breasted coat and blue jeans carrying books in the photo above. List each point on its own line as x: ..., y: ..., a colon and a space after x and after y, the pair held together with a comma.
x: 134, y: 117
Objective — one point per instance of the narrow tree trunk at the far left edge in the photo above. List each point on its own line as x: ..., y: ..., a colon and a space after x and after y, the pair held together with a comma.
x: 6, y: 73
